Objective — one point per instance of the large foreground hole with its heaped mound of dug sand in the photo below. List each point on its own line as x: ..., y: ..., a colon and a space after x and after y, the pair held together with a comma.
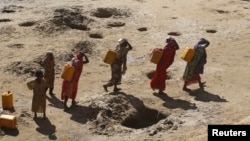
x: 121, y: 113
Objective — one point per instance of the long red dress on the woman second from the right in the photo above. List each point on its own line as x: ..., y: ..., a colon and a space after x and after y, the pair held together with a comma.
x: 158, y: 80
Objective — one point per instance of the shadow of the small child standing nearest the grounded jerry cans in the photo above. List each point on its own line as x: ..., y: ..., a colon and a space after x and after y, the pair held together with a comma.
x: 46, y: 128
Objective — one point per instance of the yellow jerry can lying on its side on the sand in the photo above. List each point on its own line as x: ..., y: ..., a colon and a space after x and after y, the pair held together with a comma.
x: 8, y: 121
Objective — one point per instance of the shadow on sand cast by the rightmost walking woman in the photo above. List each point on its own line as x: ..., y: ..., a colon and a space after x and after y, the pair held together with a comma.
x: 202, y: 95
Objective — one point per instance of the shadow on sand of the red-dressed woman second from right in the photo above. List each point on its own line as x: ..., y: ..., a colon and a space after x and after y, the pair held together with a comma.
x: 175, y: 103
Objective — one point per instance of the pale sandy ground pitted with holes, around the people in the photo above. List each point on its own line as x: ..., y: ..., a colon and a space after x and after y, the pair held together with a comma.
x: 29, y: 28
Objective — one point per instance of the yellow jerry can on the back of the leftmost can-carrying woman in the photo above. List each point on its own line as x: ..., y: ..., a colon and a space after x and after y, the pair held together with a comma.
x: 67, y: 72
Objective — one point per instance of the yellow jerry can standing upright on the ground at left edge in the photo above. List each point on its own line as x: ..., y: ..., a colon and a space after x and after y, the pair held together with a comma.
x: 7, y: 100
